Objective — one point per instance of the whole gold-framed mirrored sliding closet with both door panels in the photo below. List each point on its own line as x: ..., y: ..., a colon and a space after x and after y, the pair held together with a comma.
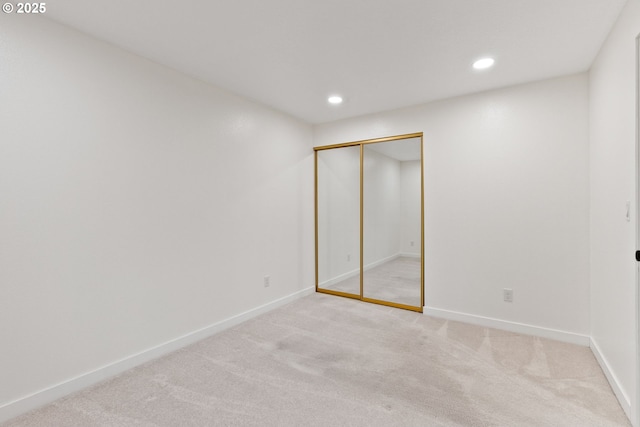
x: 369, y: 221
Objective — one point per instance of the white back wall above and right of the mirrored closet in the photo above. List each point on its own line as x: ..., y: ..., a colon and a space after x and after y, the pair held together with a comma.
x: 506, y: 201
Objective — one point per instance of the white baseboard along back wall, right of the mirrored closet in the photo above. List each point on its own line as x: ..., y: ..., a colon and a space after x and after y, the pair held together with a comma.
x: 506, y: 325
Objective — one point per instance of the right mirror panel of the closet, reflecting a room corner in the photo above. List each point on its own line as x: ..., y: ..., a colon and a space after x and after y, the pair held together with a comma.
x: 392, y: 222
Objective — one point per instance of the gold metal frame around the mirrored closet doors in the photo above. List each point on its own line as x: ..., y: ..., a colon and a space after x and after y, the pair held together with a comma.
x: 361, y: 144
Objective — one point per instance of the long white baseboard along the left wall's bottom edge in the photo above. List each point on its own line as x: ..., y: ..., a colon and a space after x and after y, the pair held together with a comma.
x: 42, y: 397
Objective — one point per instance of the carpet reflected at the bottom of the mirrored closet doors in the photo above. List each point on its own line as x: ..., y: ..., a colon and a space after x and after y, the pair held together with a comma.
x: 396, y: 281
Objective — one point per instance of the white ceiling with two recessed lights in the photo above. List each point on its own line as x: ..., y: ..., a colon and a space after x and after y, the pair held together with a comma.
x: 379, y: 54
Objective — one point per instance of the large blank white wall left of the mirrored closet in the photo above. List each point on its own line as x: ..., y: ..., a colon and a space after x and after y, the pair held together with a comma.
x: 138, y: 205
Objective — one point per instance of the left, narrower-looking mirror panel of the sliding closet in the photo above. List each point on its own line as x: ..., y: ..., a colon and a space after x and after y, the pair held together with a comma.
x: 338, y: 227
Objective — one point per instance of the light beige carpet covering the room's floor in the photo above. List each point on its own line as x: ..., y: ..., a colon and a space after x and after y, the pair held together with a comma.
x: 330, y: 361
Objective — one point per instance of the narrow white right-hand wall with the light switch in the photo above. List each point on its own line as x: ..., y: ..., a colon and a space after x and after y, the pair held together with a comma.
x: 613, y: 182
